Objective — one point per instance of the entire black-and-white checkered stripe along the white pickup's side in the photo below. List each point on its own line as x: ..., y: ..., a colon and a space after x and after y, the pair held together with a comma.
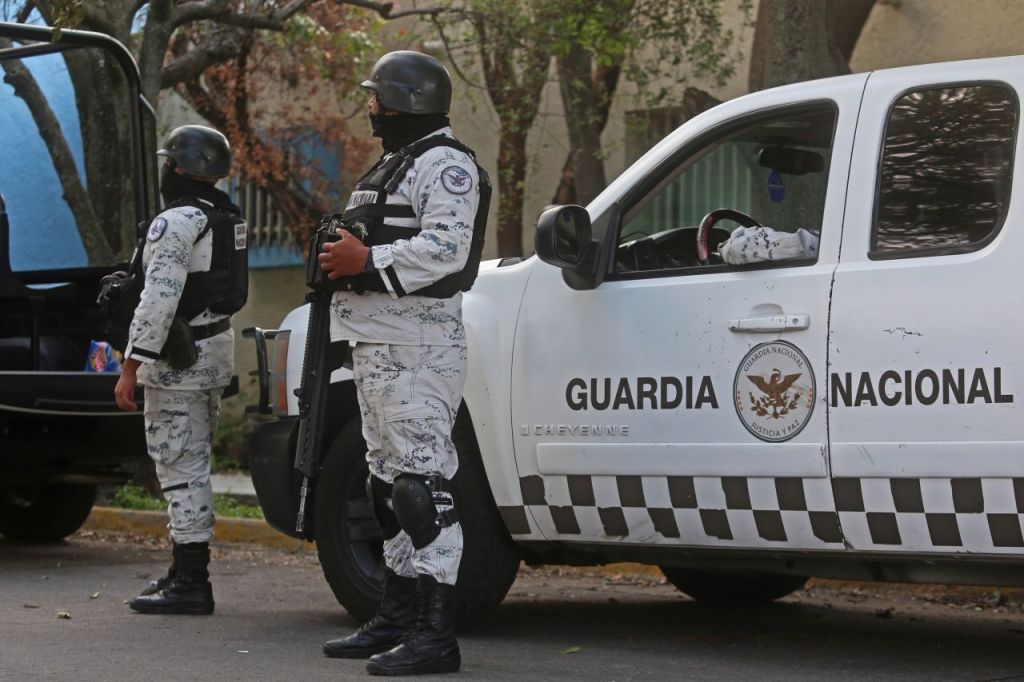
x: 943, y: 516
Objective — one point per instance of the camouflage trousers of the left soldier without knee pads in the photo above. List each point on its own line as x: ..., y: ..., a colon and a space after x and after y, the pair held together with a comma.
x: 180, y: 427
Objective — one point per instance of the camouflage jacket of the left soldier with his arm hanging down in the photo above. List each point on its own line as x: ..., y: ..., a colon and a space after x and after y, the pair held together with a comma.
x: 170, y: 253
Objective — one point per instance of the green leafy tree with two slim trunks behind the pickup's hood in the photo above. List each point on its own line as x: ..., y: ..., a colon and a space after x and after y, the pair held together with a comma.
x: 594, y: 47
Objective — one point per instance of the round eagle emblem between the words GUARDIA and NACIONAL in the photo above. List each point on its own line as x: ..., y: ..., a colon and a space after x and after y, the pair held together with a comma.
x: 774, y: 392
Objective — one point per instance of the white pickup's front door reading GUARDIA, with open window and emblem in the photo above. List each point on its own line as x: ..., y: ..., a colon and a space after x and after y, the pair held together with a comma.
x: 680, y: 404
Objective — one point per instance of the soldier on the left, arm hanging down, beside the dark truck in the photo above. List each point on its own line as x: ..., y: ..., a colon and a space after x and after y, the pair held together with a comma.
x: 183, y: 398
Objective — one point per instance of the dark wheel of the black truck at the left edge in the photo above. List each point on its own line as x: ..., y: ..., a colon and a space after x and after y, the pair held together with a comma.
x: 50, y: 514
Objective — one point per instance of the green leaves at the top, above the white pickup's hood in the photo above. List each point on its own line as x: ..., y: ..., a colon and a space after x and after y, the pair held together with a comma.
x: 656, y: 45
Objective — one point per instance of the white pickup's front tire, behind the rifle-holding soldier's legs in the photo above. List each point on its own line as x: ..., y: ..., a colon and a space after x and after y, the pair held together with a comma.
x: 350, y: 541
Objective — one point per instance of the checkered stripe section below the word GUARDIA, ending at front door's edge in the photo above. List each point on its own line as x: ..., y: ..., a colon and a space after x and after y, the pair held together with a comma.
x: 680, y: 510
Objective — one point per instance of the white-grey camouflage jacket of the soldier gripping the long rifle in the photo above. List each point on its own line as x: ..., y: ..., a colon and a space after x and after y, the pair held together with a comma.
x: 443, y: 187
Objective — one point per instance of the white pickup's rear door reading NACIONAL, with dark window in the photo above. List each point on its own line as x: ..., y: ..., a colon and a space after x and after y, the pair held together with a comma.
x: 925, y: 374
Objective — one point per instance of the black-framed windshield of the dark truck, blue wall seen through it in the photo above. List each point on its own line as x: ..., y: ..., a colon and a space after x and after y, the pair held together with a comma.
x: 67, y: 174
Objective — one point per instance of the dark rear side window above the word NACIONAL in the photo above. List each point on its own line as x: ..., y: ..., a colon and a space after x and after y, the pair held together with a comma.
x: 947, y: 169
